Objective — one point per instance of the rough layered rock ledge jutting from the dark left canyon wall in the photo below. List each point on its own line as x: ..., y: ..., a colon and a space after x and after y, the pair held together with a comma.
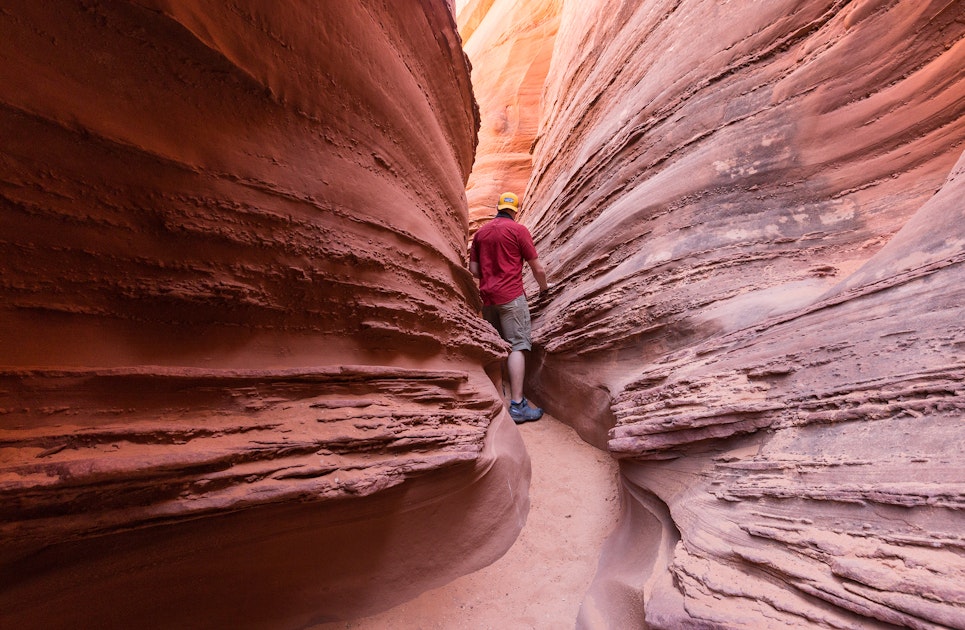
x: 127, y: 448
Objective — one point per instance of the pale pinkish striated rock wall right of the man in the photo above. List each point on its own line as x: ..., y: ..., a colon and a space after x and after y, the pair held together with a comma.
x: 748, y: 211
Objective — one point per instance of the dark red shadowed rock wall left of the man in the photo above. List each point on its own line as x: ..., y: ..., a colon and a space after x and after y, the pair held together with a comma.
x: 242, y: 371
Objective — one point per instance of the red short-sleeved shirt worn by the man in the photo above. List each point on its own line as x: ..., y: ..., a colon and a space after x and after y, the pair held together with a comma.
x: 500, y: 247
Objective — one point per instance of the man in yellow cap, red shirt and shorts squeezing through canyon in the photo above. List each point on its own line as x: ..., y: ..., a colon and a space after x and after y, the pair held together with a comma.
x: 496, y: 258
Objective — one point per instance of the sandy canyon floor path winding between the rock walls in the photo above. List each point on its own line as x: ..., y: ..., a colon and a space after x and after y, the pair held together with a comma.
x: 541, y: 581
